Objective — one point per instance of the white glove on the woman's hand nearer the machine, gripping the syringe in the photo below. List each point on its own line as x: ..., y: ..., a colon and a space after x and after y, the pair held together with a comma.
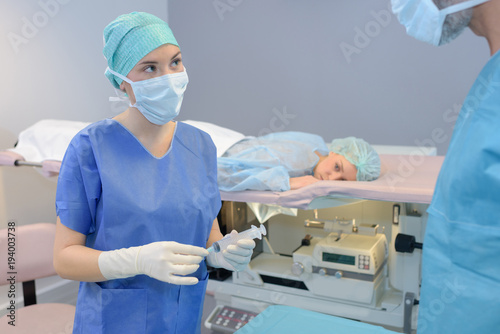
x: 234, y: 257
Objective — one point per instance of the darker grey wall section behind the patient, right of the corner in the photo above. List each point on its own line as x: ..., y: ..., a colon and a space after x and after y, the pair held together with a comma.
x: 264, y: 65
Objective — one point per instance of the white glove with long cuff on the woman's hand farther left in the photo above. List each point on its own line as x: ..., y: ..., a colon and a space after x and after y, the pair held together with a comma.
x: 163, y: 260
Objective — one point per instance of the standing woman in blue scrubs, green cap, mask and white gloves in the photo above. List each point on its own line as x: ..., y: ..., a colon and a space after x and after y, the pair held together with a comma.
x: 137, y: 197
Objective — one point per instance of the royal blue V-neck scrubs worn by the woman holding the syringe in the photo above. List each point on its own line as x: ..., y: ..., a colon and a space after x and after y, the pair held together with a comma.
x: 115, y: 192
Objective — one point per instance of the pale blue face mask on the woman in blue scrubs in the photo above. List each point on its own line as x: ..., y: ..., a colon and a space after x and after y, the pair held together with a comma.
x: 158, y: 99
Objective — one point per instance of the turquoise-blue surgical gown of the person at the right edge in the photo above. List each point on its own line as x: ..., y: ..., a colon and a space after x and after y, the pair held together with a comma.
x: 461, y: 255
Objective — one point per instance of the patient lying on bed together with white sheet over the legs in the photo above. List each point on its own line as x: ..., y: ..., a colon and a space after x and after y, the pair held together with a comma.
x: 278, y: 161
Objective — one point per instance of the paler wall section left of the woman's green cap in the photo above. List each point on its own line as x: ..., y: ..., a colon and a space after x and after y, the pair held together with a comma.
x: 52, y: 62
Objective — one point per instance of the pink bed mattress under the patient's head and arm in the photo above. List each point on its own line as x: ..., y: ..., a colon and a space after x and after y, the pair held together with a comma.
x: 404, y: 178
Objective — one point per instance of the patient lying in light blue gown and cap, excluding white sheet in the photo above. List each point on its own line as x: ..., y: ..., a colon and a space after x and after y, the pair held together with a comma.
x: 291, y: 160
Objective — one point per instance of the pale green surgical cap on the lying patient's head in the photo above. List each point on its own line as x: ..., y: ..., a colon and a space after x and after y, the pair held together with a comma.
x: 360, y: 154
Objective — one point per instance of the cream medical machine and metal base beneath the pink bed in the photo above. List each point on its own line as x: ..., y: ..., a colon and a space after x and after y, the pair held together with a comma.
x: 344, y: 267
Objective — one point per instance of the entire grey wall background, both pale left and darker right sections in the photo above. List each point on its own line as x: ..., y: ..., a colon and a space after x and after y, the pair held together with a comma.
x: 254, y: 66
